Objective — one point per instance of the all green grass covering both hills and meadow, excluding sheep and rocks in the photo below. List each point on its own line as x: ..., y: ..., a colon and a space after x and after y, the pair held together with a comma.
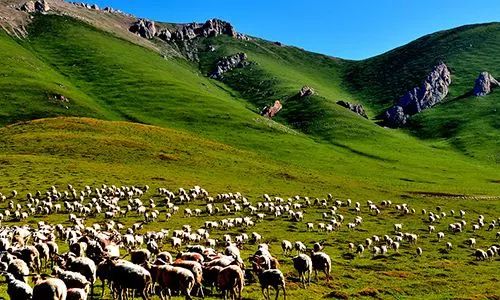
x: 134, y: 117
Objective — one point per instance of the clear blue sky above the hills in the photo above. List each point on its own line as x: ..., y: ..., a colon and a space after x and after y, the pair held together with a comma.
x: 348, y: 29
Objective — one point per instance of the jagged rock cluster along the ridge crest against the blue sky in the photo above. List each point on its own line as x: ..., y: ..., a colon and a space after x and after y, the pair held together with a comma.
x: 214, y: 27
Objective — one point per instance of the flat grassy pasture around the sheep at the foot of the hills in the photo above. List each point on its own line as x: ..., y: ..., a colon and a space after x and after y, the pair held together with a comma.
x: 438, y: 273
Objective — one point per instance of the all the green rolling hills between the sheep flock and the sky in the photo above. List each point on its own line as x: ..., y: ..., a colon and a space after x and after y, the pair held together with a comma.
x: 85, y: 69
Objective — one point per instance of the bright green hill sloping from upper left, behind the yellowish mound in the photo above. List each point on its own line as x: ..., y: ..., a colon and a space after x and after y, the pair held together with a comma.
x: 110, y: 78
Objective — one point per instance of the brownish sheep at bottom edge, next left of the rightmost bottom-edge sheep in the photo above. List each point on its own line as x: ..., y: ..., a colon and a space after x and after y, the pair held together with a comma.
x: 230, y: 281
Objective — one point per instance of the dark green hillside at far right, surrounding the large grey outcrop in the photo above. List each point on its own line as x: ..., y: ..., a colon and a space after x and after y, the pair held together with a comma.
x: 468, y: 123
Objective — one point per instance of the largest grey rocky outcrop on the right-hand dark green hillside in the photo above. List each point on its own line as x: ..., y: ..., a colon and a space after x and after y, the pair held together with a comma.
x: 432, y: 91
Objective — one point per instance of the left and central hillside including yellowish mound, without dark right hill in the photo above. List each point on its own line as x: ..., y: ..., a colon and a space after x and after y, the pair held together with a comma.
x: 319, y: 146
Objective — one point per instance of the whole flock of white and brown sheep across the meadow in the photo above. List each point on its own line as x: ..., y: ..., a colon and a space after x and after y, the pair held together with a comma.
x: 198, y: 262
